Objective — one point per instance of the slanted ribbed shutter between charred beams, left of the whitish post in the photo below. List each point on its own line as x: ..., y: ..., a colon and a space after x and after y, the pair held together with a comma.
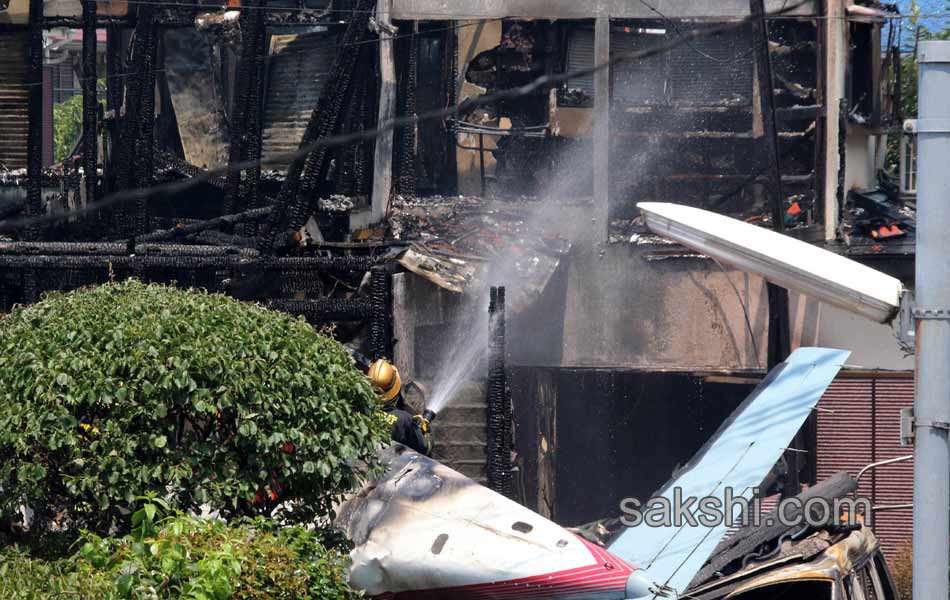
x: 298, y: 68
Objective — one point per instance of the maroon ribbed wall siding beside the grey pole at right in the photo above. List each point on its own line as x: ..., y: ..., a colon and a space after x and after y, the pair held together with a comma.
x: 864, y: 427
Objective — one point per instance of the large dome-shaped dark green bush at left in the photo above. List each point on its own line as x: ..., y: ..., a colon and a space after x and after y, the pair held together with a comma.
x: 112, y: 392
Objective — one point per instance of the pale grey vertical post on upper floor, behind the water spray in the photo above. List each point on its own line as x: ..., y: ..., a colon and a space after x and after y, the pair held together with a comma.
x: 602, y: 124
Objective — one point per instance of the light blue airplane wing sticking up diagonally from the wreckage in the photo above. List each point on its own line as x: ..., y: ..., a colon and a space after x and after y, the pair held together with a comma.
x: 737, y: 457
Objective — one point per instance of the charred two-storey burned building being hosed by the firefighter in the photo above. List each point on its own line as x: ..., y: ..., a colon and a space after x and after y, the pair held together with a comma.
x: 382, y: 164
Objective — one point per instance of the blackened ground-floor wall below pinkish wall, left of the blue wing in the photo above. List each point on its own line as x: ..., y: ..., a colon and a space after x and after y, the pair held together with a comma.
x: 616, y: 434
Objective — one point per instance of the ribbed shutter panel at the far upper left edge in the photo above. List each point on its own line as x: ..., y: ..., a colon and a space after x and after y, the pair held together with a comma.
x: 14, y: 121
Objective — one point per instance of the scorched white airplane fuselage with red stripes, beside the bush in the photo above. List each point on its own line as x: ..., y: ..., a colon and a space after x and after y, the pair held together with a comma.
x: 426, y: 532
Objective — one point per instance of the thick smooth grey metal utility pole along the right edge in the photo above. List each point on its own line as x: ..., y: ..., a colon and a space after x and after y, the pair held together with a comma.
x: 932, y: 401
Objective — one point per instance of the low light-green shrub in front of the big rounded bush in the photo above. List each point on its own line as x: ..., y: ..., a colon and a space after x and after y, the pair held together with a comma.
x: 185, y: 557
